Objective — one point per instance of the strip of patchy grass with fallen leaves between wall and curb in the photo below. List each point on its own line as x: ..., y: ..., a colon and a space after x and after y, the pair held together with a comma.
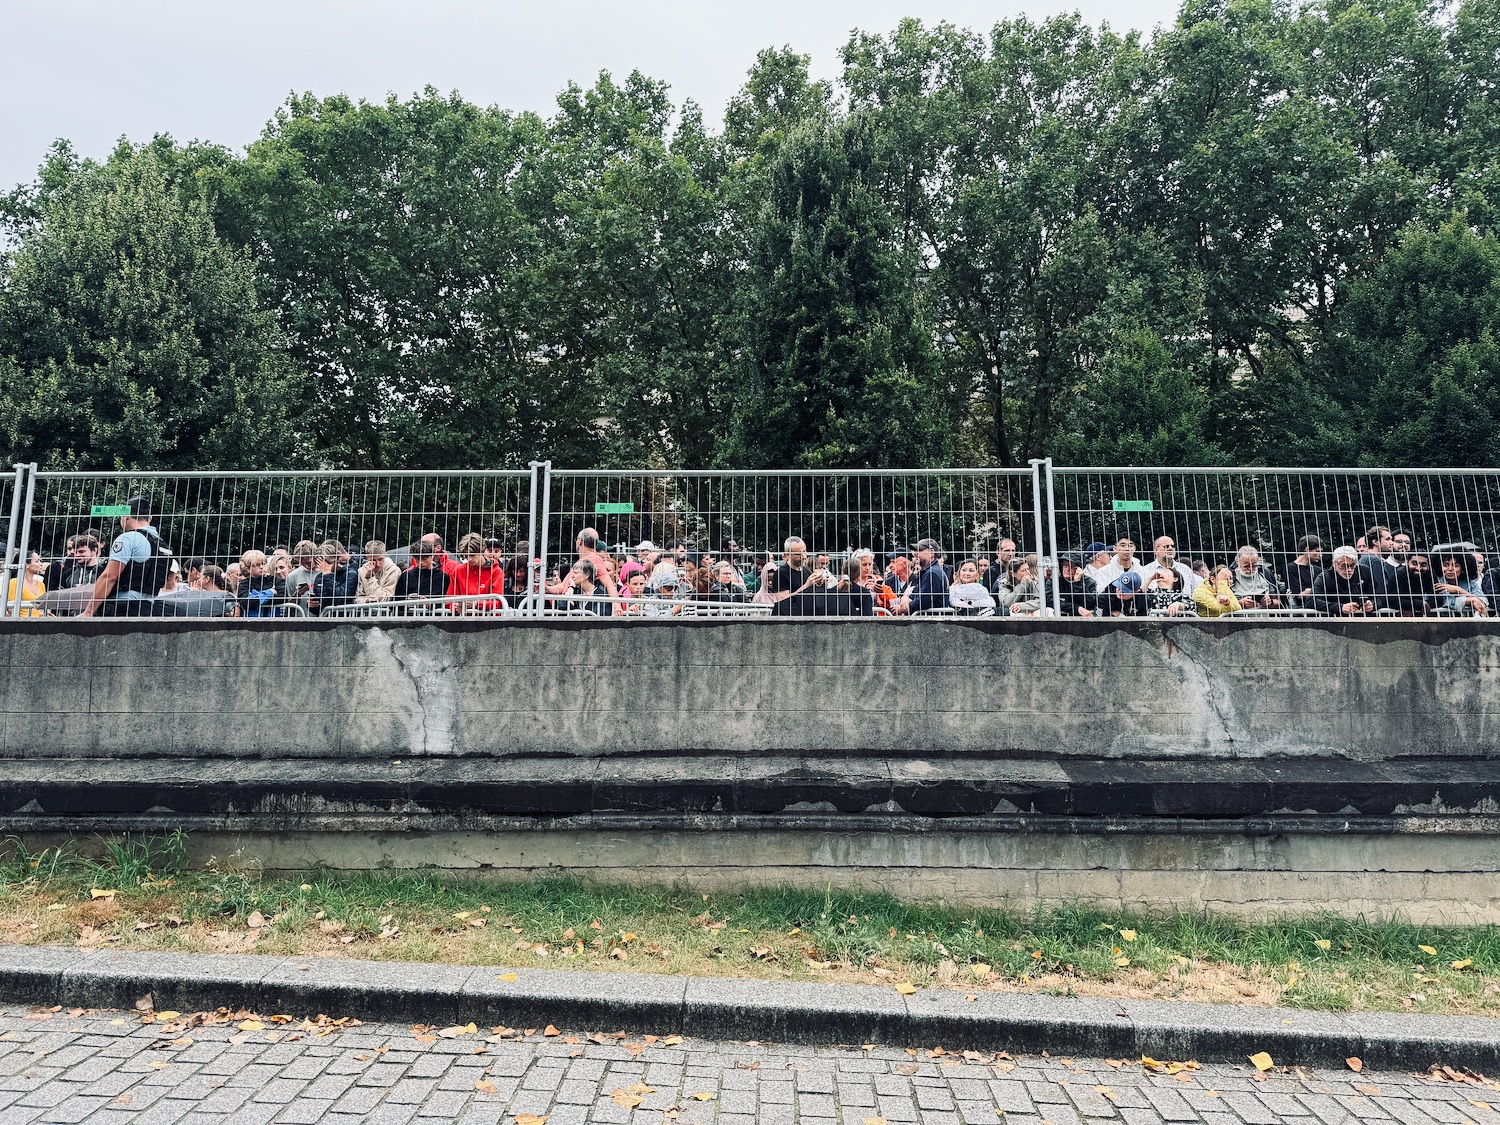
x: 139, y: 898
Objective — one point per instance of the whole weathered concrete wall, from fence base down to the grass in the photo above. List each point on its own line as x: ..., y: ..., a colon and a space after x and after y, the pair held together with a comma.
x: 1249, y: 767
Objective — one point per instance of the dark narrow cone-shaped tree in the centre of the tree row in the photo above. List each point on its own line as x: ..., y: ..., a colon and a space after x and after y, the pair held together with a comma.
x: 839, y: 364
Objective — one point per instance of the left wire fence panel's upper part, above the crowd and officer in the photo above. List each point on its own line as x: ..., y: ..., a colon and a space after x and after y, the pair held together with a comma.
x: 217, y: 517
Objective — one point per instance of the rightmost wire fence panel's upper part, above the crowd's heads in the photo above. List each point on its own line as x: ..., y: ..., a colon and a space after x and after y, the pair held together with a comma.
x: 1213, y: 512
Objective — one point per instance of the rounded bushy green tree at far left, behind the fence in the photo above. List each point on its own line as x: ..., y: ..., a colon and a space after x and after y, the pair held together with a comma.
x: 134, y: 337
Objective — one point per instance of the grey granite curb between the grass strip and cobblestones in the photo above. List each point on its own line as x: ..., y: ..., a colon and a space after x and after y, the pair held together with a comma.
x: 772, y: 1012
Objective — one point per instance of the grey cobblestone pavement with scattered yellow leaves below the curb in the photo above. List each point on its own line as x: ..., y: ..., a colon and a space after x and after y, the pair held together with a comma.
x: 109, y: 1067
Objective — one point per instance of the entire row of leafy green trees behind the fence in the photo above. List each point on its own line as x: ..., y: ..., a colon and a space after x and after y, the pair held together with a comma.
x: 1265, y: 235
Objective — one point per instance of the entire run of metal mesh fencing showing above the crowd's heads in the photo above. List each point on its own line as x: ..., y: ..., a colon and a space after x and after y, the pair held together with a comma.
x: 736, y: 515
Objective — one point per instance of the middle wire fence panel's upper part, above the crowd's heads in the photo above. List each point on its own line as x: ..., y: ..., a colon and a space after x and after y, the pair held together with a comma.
x: 739, y: 514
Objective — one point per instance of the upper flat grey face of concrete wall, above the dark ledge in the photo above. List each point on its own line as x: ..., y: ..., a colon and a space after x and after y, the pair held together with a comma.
x: 1274, y: 689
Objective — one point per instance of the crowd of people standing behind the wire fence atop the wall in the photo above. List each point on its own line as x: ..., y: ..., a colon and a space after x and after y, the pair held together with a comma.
x: 1382, y: 574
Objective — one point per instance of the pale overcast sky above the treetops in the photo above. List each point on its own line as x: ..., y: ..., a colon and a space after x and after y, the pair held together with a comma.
x: 97, y: 70
